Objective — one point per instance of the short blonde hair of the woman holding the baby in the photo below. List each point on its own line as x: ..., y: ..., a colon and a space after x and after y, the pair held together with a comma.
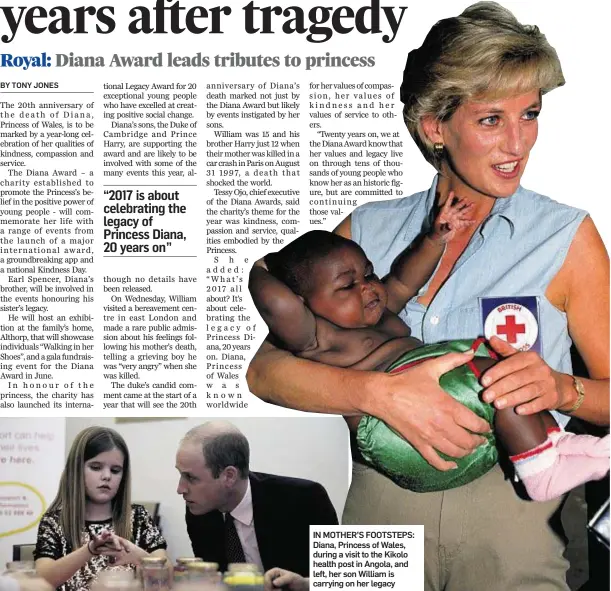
x: 484, y: 52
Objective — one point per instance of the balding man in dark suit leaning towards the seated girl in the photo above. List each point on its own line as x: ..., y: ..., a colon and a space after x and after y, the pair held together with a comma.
x: 234, y: 515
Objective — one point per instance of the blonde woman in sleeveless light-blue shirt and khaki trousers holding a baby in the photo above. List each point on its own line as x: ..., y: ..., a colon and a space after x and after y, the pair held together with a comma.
x: 472, y: 95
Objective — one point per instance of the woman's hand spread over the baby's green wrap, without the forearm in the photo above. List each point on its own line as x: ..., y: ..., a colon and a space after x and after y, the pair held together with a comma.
x: 429, y: 418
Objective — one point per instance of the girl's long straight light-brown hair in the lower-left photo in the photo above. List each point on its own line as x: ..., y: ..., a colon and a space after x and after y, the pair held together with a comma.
x: 71, y: 496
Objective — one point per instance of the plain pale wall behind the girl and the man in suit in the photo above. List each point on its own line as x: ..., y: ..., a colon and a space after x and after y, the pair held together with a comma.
x: 313, y: 448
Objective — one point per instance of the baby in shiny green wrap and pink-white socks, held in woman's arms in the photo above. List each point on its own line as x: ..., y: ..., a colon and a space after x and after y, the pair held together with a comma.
x: 321, y: 300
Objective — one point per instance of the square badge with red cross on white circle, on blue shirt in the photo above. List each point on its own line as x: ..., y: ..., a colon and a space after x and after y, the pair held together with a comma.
x: 515, y: 320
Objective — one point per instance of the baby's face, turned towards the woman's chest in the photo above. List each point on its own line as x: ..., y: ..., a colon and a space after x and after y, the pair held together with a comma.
x: 346, y: 291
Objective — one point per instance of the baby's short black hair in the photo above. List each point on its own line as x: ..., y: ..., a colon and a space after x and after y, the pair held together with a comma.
x: 294, y: 264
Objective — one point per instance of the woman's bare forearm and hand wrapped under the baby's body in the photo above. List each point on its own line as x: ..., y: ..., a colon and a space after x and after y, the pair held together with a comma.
x: 412, y: 403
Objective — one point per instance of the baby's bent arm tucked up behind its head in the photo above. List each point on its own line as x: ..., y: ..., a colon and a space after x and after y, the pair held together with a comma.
x: 284, y: 312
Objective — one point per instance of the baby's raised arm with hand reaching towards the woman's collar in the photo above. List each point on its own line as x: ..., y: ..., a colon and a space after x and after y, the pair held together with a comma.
x: 415, y: 265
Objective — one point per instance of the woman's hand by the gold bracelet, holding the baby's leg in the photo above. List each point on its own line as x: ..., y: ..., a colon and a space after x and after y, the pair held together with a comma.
x: 521, y: 380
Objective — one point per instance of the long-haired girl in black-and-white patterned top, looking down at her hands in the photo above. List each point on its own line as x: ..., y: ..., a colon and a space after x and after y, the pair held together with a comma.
x: 92, y: 525
